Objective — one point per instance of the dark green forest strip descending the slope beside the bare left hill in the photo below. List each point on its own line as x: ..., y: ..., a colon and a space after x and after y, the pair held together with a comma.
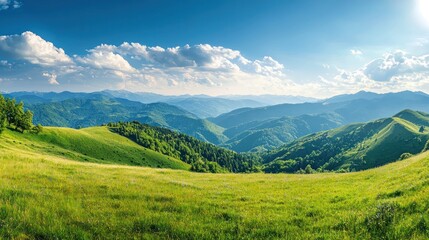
x: 202, y: 156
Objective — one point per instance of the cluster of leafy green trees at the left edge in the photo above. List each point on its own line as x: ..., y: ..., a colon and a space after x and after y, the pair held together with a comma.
x: 13, y: 115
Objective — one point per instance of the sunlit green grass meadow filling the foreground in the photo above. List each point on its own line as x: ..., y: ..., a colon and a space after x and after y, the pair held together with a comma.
x: 46, y: 195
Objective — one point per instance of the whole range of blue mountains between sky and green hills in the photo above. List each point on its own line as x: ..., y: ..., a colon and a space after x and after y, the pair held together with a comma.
x: 246, y: 129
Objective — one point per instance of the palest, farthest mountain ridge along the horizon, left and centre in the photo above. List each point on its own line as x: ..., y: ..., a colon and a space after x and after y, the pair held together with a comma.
x: 203, y: 106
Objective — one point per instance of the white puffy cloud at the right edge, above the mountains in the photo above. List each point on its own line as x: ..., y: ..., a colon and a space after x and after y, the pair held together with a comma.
x: 395, y: 71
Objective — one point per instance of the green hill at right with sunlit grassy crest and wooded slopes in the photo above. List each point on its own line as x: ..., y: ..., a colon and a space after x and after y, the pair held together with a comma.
x: 355, y: 147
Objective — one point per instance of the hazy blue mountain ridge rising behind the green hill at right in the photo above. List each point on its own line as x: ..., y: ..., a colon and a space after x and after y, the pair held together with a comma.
x: 353, y: 108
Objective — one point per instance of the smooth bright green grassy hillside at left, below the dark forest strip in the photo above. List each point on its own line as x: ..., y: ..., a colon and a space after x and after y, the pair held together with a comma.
x: 95, y: 144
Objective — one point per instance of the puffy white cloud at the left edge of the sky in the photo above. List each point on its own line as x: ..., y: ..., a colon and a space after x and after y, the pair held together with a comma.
x: 32, y: 48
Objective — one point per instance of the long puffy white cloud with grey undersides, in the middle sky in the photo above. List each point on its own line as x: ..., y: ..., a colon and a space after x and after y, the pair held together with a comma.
x: 203, y: 57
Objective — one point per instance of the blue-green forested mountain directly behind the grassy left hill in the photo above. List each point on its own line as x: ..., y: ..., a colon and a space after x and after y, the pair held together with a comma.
x: 99, y: 109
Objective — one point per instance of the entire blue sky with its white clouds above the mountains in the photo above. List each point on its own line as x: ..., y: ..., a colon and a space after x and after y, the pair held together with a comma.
x: 312, y: 48
